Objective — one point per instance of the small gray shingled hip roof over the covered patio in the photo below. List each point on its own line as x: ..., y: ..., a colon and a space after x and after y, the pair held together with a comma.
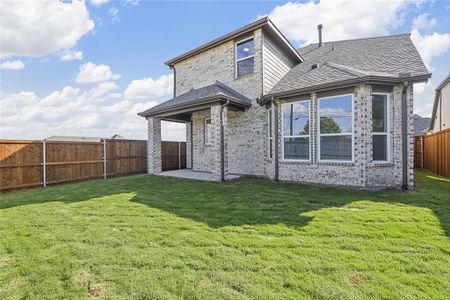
x: 206, y: 94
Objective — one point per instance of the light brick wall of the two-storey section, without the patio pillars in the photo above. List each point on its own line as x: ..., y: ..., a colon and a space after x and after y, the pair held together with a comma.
x: 245, y: 130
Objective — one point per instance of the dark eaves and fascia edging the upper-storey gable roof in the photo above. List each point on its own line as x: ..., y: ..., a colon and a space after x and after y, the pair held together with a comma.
x: 261, y: 23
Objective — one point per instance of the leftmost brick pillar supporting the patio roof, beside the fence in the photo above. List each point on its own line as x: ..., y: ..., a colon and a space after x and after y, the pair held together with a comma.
x: 154, y: 163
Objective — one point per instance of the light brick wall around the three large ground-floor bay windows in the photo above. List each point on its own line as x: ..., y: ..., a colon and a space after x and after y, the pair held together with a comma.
x: 362, y: 172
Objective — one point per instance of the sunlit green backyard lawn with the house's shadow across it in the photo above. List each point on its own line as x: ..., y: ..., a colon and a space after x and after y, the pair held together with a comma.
x: 144, y: 237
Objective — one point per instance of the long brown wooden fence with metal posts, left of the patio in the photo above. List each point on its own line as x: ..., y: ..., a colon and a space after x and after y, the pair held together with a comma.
x: 38, y: 163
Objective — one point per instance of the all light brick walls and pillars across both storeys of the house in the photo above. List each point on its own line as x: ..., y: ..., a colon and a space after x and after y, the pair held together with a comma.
x: 246, y: 133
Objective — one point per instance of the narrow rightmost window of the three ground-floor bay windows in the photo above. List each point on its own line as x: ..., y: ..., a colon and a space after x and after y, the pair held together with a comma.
x: 380, y: 125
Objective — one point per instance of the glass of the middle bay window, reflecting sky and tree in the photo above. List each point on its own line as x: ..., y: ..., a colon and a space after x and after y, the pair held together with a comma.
x: 336, y: 128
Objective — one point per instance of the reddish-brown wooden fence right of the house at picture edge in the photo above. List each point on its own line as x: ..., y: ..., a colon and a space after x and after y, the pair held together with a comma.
x: 432, y: 152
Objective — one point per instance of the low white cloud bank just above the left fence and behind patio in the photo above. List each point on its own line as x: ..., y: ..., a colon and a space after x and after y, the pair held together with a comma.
x: 98, y: 111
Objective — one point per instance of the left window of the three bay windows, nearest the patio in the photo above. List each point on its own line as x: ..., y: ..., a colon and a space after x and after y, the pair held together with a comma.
x: 296, y: 130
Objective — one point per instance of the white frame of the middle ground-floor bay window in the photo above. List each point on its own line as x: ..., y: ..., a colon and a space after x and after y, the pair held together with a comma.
x: 336, y: 134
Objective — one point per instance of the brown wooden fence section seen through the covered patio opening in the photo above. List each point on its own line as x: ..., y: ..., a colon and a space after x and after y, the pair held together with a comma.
x: 173, y: 155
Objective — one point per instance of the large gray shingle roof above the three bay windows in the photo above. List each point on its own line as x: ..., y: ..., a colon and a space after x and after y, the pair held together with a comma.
x: 387, y: 56
